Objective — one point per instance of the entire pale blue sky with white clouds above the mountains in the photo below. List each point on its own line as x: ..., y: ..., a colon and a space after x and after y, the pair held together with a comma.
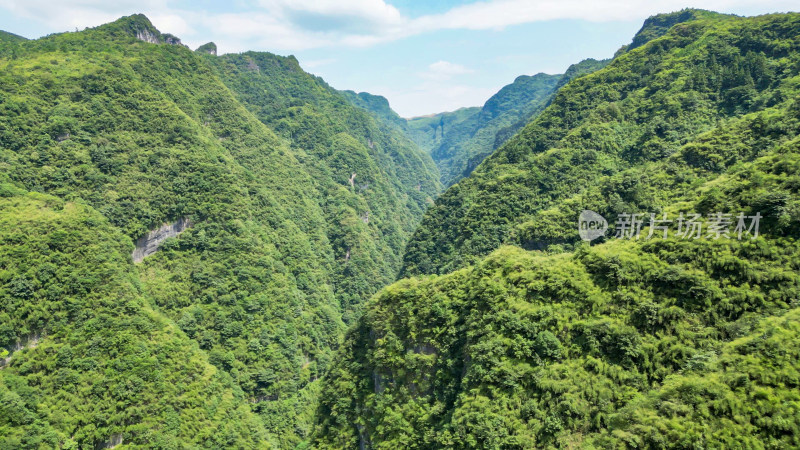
x: 425, y: 56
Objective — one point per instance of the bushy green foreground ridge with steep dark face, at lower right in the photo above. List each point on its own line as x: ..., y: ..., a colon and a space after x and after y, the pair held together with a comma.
x: 668, y: 344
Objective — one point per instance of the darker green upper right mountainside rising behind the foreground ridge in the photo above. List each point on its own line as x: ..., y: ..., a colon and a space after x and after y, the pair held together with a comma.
x: 635, y: 136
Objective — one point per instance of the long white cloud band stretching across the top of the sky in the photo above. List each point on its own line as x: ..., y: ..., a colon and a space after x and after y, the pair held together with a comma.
x: 293, y: 25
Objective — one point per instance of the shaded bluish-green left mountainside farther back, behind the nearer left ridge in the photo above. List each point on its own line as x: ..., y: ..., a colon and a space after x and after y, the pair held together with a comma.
x: 373, y: 183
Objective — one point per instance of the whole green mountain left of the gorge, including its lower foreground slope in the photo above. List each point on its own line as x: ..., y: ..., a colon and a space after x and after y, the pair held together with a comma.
x: 294, y: 208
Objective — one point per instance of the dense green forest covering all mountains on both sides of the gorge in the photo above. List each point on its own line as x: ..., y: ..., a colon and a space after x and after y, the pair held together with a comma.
x: 320, y: 293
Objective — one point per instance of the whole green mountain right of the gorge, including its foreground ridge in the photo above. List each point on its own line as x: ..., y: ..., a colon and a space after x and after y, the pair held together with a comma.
x: 530, y: 338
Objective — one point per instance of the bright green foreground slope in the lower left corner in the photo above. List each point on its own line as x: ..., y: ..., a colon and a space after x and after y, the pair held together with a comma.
x: 90, y: 359
